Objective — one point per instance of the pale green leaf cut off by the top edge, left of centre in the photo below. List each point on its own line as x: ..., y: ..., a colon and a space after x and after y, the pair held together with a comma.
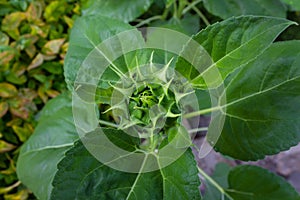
x: 117, y: 9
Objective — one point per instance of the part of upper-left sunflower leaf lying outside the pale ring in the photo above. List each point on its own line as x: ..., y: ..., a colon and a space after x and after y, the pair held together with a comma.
x: 83, y: 40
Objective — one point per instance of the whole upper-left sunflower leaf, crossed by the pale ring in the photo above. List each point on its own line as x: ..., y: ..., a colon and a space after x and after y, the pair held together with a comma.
x: 92, y: 51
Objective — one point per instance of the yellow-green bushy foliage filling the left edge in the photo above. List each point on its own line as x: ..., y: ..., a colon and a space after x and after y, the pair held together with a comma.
x: 33, y: 43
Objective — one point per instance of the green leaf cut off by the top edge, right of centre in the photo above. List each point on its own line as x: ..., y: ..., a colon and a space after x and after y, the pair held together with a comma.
x: 229, y: 8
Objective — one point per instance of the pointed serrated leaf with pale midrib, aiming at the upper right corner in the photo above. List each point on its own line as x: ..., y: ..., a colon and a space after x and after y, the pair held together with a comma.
x: 231, y: 44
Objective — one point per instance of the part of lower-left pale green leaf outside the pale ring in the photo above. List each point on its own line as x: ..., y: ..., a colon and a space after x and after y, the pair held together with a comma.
x: 53, y: 136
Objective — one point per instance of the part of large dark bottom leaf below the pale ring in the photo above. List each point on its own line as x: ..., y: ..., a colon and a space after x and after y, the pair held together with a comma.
x: 81, y: 176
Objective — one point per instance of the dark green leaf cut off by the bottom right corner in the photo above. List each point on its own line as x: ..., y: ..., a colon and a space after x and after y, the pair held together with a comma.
x: 248, y: 182
